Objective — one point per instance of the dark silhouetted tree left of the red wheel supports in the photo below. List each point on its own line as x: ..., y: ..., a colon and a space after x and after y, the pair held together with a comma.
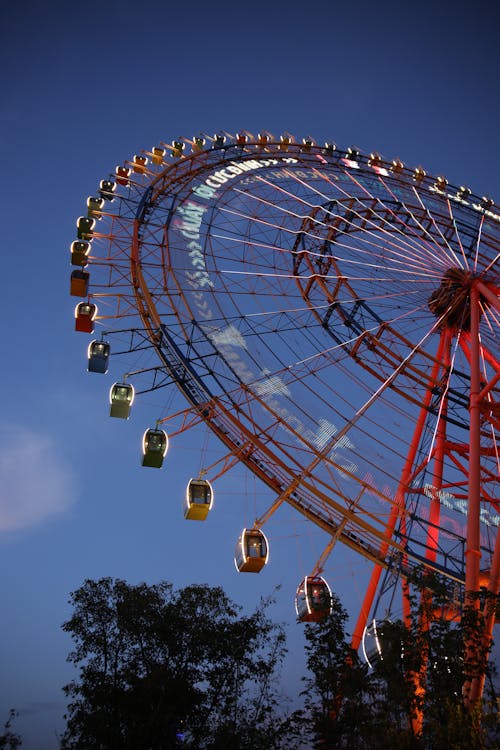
x: 155, y: 664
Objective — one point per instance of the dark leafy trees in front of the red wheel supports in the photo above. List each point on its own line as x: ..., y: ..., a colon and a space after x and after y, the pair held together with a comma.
x: 419, y: 671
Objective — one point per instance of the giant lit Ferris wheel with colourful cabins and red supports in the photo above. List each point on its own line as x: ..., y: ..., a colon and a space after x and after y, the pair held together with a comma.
x: 333, y: 318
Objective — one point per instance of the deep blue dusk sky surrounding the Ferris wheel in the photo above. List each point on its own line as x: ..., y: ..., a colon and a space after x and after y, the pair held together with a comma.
x: 85, y: 87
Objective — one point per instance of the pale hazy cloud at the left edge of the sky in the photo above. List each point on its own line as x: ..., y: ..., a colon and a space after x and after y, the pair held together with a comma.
x: 35, y: 482
